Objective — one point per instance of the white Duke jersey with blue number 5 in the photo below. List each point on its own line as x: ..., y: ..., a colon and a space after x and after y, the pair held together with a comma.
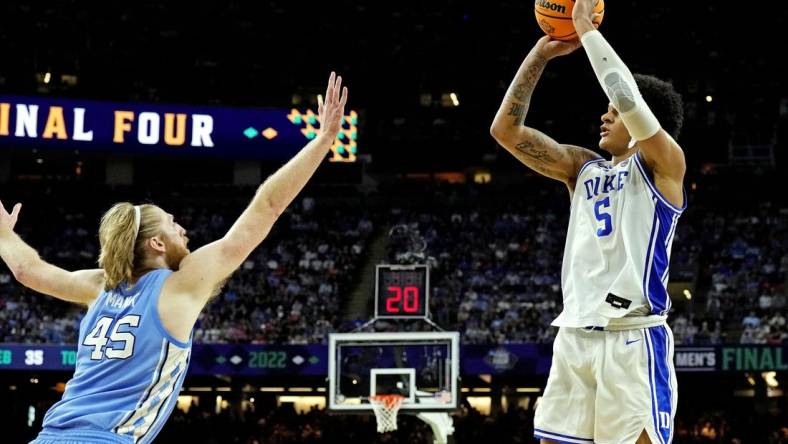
x: 615, y: 268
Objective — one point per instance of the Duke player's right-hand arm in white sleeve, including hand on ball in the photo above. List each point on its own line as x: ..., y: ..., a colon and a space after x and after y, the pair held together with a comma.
x: 658, y: 149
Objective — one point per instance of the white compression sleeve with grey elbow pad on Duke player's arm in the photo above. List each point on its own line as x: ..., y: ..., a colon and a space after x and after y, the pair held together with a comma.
x: 620, y: 86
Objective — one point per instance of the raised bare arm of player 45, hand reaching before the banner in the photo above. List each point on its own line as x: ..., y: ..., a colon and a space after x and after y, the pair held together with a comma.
x: 201, y: 271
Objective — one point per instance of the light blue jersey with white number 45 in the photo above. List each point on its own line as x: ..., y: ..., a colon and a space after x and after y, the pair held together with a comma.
x: 129, y: 370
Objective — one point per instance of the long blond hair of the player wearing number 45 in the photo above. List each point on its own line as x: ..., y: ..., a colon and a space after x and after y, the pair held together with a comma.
x: 123, y: 242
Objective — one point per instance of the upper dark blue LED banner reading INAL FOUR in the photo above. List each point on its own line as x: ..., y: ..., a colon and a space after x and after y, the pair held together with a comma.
x: 154, y: 129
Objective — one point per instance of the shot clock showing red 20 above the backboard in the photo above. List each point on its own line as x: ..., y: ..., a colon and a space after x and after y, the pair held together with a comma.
x: 402, y: 292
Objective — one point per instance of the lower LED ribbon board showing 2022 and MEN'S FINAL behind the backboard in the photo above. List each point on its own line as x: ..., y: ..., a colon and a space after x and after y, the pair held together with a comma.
x: 312, y: 360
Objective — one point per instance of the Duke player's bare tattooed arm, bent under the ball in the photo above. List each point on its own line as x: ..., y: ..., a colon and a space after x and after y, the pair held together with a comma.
x: 536, y: 150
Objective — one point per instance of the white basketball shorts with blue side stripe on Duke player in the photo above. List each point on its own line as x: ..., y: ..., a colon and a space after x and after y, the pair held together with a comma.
x: 606, y: 387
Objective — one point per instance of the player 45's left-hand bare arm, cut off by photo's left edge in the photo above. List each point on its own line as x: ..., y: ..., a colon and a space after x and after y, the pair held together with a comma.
x: 31, y: 271
